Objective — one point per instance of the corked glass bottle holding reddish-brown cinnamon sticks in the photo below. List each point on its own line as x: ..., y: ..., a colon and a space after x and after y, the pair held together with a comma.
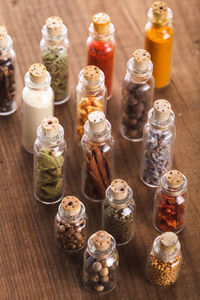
x: 98, y: 157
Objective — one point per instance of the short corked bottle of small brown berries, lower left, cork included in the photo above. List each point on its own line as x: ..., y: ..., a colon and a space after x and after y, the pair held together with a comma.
x: 71, y: 225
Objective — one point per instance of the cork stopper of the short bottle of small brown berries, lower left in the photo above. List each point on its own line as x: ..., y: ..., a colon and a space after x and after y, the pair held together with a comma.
x: 71, y: 205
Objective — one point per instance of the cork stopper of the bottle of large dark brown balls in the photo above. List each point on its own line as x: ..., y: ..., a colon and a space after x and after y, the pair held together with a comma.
x: 141, y: 59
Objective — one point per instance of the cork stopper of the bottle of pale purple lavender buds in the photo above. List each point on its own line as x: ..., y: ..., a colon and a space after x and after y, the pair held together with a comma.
x: 162, y: 109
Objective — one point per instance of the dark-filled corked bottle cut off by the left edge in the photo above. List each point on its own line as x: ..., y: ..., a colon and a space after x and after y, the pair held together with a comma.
x: 8, y: 104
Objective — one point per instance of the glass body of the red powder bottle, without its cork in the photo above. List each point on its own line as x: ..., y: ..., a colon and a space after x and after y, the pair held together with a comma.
x: 101, y: 53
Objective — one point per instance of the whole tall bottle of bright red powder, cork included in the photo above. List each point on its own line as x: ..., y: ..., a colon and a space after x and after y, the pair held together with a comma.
x: 101, y: 47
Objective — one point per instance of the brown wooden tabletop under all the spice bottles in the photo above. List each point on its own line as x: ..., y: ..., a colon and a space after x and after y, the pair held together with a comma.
x: 30, y: 265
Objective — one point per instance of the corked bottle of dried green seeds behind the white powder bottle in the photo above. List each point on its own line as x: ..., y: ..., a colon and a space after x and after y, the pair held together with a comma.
x: 55, y: 55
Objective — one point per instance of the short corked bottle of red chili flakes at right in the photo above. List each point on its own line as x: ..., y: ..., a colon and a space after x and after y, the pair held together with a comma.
x: 170, y: 202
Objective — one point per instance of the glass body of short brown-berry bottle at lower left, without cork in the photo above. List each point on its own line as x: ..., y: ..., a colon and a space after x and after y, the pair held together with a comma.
x: 70, y: 231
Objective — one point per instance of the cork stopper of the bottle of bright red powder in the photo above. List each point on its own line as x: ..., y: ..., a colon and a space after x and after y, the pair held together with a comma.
x: 101, y: 23
